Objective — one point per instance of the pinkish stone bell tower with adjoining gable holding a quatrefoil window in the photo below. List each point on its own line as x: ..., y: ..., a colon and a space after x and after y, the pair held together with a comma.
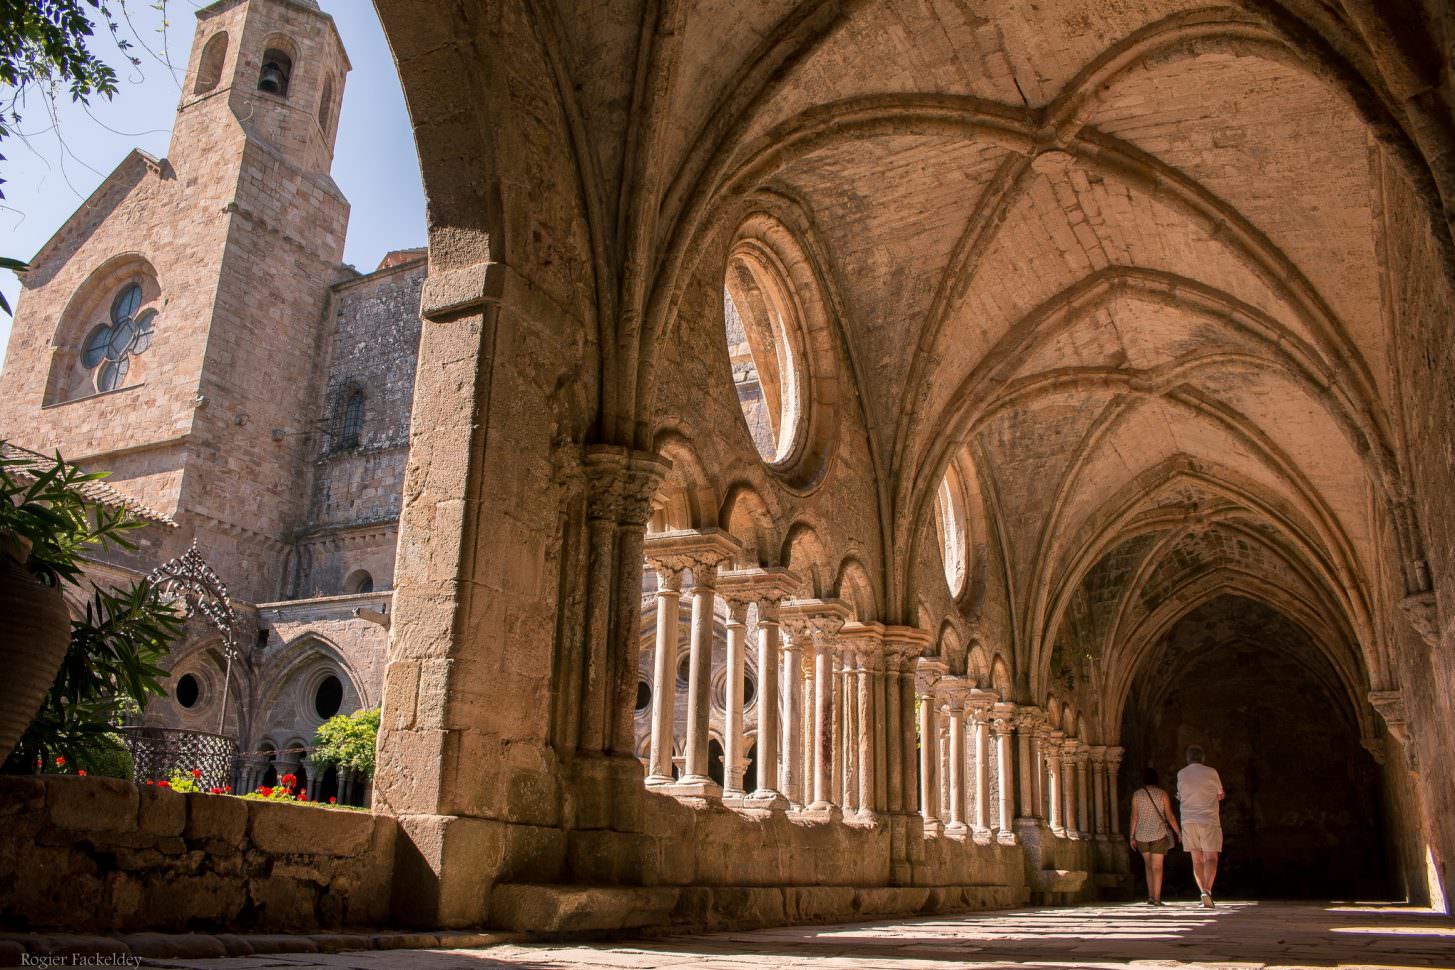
x: 172, y: 329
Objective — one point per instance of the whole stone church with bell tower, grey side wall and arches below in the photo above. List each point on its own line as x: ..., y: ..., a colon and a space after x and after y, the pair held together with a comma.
x: 193, y: 331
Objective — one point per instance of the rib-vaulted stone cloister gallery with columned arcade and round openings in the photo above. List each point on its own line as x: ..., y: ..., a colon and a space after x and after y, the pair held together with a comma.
x: 1027, y: 390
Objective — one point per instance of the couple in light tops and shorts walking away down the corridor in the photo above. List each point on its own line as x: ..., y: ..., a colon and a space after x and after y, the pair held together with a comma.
x: 1155, y: 825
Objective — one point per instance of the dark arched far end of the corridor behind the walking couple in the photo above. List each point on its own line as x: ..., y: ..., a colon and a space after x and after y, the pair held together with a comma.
x: 1301, y: 818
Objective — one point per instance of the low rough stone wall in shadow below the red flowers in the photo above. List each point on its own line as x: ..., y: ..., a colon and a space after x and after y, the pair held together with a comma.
x: 105, y: 856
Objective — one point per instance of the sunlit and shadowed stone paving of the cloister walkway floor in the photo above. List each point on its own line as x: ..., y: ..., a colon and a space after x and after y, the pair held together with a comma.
x: 1125, y: 936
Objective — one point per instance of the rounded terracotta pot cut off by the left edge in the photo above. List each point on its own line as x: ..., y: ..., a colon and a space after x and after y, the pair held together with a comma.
x: 36, y: 629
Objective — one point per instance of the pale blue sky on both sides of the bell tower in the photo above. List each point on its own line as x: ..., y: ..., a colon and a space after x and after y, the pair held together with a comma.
x: 52, y: 169
